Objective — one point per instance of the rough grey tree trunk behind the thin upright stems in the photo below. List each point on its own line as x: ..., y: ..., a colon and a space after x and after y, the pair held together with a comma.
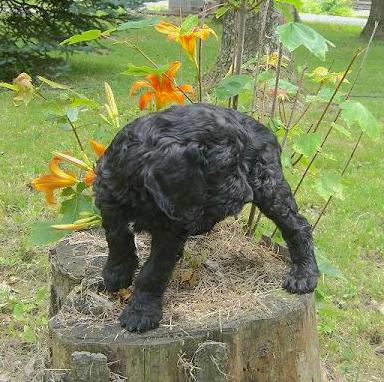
x: 251, y: 41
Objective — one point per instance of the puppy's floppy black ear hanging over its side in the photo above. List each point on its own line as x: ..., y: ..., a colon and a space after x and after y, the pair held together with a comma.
x: 175, y: 179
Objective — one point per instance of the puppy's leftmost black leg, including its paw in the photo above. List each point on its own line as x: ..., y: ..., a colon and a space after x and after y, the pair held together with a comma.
x: 122, y: 260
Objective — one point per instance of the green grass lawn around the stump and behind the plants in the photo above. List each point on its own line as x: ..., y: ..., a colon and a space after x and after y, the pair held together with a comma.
x: 350, y: 235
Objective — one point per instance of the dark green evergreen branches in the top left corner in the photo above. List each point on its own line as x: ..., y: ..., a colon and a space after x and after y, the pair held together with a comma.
x: 30, y: 31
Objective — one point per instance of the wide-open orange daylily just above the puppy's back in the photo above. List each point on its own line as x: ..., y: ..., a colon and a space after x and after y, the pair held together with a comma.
x: 162, y: 88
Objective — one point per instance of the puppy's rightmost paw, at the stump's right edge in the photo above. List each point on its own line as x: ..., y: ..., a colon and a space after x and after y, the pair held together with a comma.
x: 300, y: 281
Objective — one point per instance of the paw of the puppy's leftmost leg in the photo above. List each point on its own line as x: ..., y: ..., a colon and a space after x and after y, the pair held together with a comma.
x: 118, y: 276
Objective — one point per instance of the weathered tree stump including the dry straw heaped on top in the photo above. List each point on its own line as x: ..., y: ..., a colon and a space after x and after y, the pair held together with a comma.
x: 265, y: 335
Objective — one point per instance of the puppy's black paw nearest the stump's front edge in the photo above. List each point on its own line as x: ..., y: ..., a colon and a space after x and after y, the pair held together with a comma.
x: 141, y: 315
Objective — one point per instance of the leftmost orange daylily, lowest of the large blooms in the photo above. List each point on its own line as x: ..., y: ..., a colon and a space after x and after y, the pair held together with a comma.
x: 57, y: 178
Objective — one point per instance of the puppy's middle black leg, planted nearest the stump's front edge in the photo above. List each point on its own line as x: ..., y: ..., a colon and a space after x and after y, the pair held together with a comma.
x: 144, y: 311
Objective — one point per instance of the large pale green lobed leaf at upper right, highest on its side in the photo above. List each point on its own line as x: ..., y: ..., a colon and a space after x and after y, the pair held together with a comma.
x: 293, y: 35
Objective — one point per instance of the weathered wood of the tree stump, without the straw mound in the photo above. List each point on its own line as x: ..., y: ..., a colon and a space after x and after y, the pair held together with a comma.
x: 276, y: 343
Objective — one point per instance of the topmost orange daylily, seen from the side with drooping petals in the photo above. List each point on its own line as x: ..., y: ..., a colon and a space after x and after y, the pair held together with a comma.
x: 187, y: 40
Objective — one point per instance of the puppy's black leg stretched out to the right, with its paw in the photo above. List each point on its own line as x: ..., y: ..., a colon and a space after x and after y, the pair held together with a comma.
x: 273, y: 196
